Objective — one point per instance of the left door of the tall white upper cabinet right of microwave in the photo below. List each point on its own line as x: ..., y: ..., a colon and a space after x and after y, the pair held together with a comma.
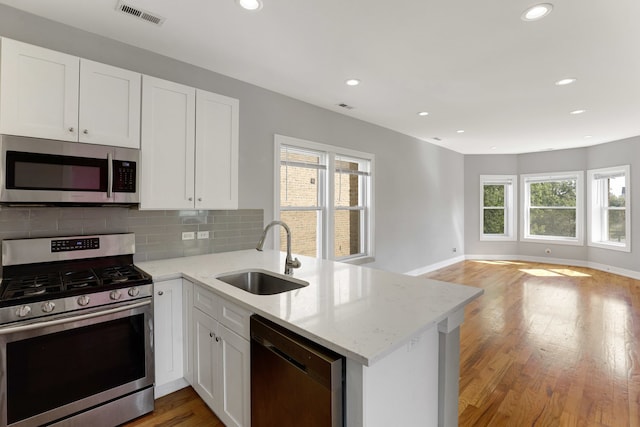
x: 167, y: 145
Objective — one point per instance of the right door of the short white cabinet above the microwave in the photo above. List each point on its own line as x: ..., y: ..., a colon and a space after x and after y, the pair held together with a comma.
x: 109, y: 105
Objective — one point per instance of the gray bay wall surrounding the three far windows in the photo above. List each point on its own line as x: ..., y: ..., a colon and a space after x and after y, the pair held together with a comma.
x: 605, y: 155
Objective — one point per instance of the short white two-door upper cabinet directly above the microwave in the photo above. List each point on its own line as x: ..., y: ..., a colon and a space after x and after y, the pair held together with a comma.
x: 49, y: 94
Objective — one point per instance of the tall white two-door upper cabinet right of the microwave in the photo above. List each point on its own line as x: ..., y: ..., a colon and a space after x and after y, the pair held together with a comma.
x: 189, y: 148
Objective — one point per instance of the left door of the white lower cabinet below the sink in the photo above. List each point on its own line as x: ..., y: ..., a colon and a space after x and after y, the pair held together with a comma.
x: 206, y: 356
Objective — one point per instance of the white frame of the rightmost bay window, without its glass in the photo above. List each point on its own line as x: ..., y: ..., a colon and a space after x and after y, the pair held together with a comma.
x: 596, y: 200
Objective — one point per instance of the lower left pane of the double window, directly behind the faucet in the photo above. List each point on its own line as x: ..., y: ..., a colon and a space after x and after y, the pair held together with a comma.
x: 304, y: 231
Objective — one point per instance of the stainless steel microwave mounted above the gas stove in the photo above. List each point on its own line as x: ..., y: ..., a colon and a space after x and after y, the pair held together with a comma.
x: 48, y: 172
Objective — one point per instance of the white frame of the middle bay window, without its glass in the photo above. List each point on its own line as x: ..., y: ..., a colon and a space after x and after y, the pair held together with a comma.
x: 526, y: 180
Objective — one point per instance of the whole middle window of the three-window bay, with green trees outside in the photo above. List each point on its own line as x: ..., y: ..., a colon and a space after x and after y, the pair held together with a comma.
x: 553, y: 208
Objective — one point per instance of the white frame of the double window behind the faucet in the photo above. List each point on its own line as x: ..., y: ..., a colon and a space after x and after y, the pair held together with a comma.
x: 326, y: 248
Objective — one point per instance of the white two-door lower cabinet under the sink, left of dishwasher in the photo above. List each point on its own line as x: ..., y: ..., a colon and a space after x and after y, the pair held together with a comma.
x: 221, y: 357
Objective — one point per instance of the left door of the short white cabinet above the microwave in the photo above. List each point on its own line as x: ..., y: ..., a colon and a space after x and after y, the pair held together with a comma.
x: 38, y: 92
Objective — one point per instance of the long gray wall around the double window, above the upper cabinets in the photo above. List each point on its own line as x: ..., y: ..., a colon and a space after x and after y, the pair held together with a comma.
x: 419, y: 187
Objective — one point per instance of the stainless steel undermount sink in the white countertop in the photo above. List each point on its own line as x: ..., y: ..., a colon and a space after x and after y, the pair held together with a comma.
x: 261, y: 282
